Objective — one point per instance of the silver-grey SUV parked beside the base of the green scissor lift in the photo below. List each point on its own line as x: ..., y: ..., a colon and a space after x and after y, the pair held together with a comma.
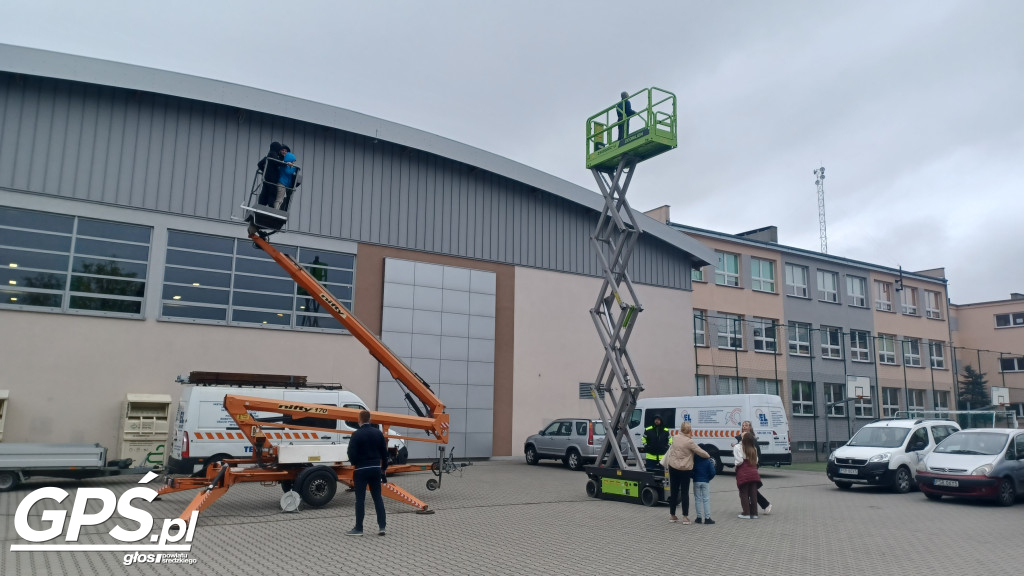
x: 574, y: 441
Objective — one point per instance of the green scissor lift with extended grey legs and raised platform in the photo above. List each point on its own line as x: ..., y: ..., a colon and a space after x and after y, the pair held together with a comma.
x: 650, y: 133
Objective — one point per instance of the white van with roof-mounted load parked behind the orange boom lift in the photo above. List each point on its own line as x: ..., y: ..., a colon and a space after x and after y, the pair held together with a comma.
x: 204, y: 433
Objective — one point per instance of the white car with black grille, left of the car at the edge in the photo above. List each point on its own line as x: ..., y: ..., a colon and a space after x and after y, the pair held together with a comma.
x: 887, y: 452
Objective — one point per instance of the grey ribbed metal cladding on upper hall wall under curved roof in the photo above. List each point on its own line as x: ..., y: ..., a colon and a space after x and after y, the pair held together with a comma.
x: 174, y: 155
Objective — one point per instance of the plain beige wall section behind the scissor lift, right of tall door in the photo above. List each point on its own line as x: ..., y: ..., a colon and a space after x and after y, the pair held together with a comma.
x: 558, y: 347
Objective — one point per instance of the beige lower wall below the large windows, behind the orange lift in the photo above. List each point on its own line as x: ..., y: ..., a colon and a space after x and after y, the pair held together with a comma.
x: 68, y: 375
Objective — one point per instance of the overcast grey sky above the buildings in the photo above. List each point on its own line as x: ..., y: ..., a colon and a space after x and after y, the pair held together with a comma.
x: 914, y: 108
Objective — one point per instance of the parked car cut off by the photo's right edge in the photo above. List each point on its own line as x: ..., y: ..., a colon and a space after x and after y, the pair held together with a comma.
x: 977, y: 464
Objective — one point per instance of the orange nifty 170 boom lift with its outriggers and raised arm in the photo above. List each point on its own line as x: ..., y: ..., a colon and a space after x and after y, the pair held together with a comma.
x: 317, y: 483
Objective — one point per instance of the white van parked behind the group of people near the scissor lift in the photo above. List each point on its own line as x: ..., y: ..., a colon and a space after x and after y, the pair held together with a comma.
x: 716, y: 422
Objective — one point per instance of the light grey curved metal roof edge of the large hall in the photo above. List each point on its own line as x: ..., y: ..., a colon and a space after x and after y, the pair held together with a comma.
x: 34, y: 62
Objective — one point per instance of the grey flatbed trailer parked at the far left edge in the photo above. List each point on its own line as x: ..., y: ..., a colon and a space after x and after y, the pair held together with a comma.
x: 21, y: 462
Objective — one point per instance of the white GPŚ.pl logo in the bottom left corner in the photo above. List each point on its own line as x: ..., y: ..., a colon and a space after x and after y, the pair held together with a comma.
x: 55, y: 522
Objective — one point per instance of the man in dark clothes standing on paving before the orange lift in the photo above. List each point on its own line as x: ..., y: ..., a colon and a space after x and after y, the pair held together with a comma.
x: 368, y: 452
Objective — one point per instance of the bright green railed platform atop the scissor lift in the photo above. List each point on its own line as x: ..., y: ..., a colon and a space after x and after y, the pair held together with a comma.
x: 652, y: 131
